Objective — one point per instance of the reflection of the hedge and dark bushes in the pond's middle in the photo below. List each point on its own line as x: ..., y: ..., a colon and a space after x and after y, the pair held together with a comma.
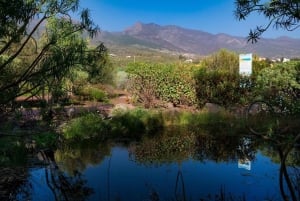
x: 176, y: 147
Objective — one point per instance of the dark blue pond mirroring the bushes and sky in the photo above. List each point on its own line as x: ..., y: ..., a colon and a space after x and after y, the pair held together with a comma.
x: 165, y: 167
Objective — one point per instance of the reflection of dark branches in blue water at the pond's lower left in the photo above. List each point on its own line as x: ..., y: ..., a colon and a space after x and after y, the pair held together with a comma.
x: 50, y: 183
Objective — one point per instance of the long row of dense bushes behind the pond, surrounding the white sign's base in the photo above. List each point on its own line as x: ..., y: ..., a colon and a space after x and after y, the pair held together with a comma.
x: 216, y: 80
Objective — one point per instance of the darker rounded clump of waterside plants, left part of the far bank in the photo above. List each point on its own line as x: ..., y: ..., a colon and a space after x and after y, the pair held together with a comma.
x: 123, y: 124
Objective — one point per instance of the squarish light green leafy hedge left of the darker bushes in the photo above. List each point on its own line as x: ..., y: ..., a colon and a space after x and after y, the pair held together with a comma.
x: 164, y: 82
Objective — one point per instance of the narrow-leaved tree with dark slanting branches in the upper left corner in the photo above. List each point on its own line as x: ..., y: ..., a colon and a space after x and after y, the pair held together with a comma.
x: 25, y: 62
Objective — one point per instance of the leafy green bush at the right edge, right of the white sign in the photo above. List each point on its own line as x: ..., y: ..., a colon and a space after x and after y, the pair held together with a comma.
x: 280, y: 85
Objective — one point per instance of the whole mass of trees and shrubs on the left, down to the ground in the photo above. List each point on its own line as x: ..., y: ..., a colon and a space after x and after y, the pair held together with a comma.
x: 46, y: 55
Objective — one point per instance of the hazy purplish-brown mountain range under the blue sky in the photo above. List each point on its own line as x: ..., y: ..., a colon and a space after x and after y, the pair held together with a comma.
x: 177, y: 39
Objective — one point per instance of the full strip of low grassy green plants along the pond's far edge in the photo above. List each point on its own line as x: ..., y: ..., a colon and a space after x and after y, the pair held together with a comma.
x: 136, y: 123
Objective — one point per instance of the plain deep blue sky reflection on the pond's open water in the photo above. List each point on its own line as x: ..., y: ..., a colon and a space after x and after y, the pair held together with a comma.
x: 128, y: 180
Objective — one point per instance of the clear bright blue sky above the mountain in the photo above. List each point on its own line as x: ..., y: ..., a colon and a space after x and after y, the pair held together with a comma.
x: 213, y: 16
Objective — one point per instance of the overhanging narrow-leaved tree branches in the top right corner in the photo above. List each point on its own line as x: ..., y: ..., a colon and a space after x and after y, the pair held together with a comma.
x: 282, y: 14
